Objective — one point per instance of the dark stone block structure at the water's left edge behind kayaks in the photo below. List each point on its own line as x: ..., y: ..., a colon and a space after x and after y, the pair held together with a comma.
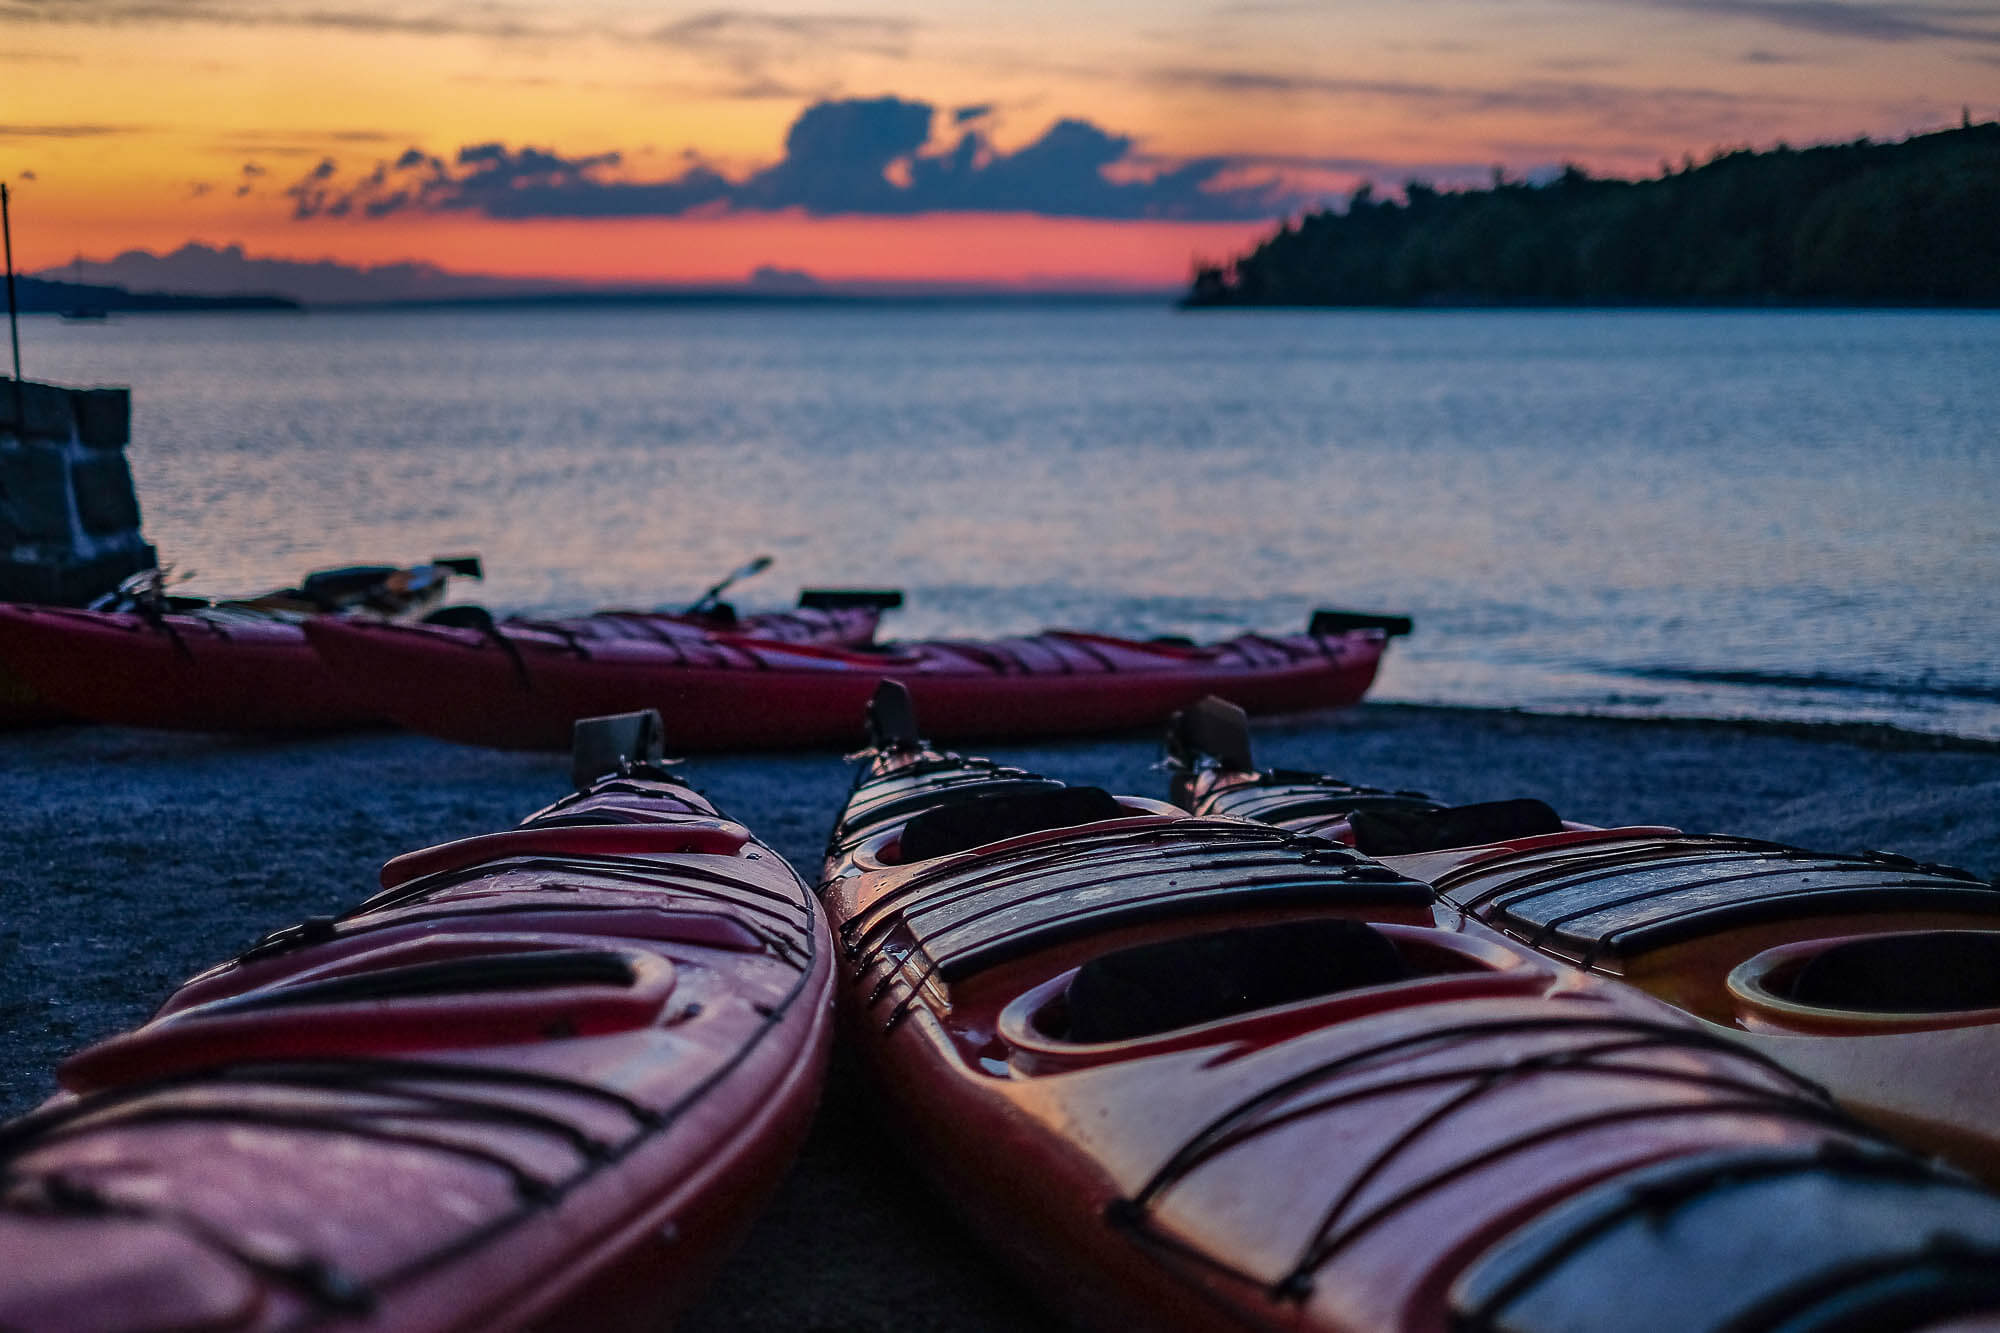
x: 69, y: 515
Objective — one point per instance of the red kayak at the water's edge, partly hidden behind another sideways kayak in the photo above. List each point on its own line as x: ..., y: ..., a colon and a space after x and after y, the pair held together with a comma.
x: 249, y: 668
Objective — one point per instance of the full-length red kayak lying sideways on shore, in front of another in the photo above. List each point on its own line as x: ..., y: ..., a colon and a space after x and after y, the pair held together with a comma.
x: 523, y: 688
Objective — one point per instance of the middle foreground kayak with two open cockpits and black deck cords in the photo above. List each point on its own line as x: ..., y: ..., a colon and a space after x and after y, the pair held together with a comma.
x: 1203, y: 1074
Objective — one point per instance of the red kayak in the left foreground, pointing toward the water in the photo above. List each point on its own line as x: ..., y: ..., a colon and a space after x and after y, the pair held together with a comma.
x: 541, y: 1082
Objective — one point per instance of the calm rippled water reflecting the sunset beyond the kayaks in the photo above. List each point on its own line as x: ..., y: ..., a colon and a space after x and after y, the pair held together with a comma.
x: 1711, y: 515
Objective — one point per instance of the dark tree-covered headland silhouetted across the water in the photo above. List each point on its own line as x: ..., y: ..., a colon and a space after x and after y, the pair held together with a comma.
x: 1847, y: 225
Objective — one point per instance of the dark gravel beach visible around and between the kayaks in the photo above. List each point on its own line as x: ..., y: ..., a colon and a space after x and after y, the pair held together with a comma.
x: 133, y: 860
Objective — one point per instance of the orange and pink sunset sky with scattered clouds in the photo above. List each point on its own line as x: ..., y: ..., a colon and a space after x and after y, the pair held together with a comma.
x: 1045, y: 141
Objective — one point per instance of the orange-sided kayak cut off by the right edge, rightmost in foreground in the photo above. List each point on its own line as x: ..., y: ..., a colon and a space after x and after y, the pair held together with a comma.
x: 1871, y: 974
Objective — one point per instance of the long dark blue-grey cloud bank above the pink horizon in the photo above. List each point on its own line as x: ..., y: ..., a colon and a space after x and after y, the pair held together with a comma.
x: 845, y: 157
